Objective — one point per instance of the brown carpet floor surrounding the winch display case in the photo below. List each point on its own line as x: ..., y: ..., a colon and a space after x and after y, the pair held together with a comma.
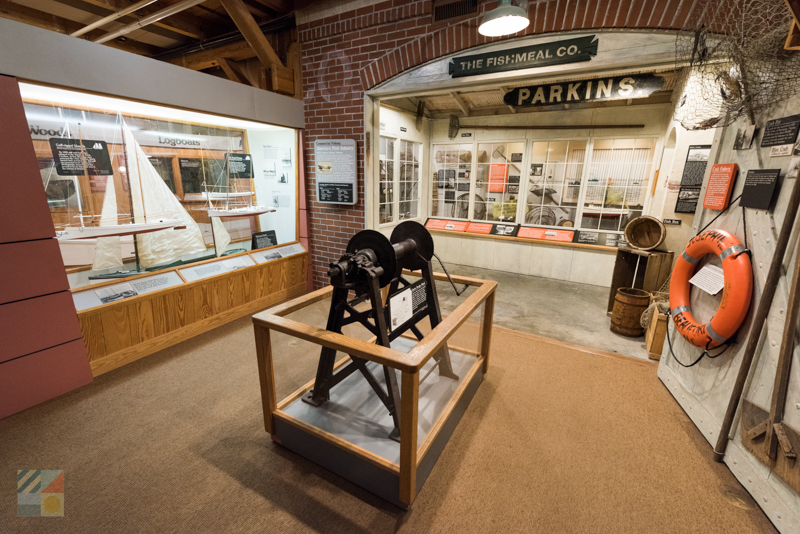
x: 556, y: 440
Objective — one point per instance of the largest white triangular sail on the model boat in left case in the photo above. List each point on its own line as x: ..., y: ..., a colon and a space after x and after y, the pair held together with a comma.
x: 152, y: 197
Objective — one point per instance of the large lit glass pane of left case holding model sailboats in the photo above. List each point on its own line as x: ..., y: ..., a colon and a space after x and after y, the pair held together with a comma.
x: 137, y: 187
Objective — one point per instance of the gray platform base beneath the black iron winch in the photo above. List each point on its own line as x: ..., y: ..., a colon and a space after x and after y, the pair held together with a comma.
x: 355, y: 414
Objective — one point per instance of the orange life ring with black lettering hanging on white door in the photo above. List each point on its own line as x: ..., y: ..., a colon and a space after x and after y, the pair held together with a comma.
x: 736, y: 294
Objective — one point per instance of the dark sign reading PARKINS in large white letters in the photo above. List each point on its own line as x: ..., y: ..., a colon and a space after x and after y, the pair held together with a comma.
x: 615, y: 88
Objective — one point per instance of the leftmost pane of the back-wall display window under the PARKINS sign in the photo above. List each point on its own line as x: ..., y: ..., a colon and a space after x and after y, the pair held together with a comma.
x: 450, y: 186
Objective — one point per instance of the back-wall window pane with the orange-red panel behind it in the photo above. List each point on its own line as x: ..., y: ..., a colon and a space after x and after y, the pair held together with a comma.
x: 497, y: 181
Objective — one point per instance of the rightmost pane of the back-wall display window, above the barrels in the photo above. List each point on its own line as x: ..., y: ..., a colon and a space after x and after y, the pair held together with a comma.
x: 616, y: 182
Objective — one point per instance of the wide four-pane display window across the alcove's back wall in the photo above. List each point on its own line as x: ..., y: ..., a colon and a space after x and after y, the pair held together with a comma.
x: 586, y: 184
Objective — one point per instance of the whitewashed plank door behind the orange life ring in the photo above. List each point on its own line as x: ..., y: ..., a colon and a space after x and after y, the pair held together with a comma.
x: 704, y: 390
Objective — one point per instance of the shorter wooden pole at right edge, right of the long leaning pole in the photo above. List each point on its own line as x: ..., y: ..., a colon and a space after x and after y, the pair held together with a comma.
x: 784, y: 362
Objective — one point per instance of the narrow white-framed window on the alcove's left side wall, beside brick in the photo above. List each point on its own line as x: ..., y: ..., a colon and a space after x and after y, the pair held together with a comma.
x: 399, y: 172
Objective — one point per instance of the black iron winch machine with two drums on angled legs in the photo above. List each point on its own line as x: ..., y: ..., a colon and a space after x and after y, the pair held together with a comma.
x: 372, y: 262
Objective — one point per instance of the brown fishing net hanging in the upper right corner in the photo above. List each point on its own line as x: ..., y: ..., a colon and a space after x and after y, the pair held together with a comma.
x: 734, y: 63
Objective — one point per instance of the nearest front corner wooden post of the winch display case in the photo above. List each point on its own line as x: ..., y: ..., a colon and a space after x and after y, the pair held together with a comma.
x: 409, y: 412
